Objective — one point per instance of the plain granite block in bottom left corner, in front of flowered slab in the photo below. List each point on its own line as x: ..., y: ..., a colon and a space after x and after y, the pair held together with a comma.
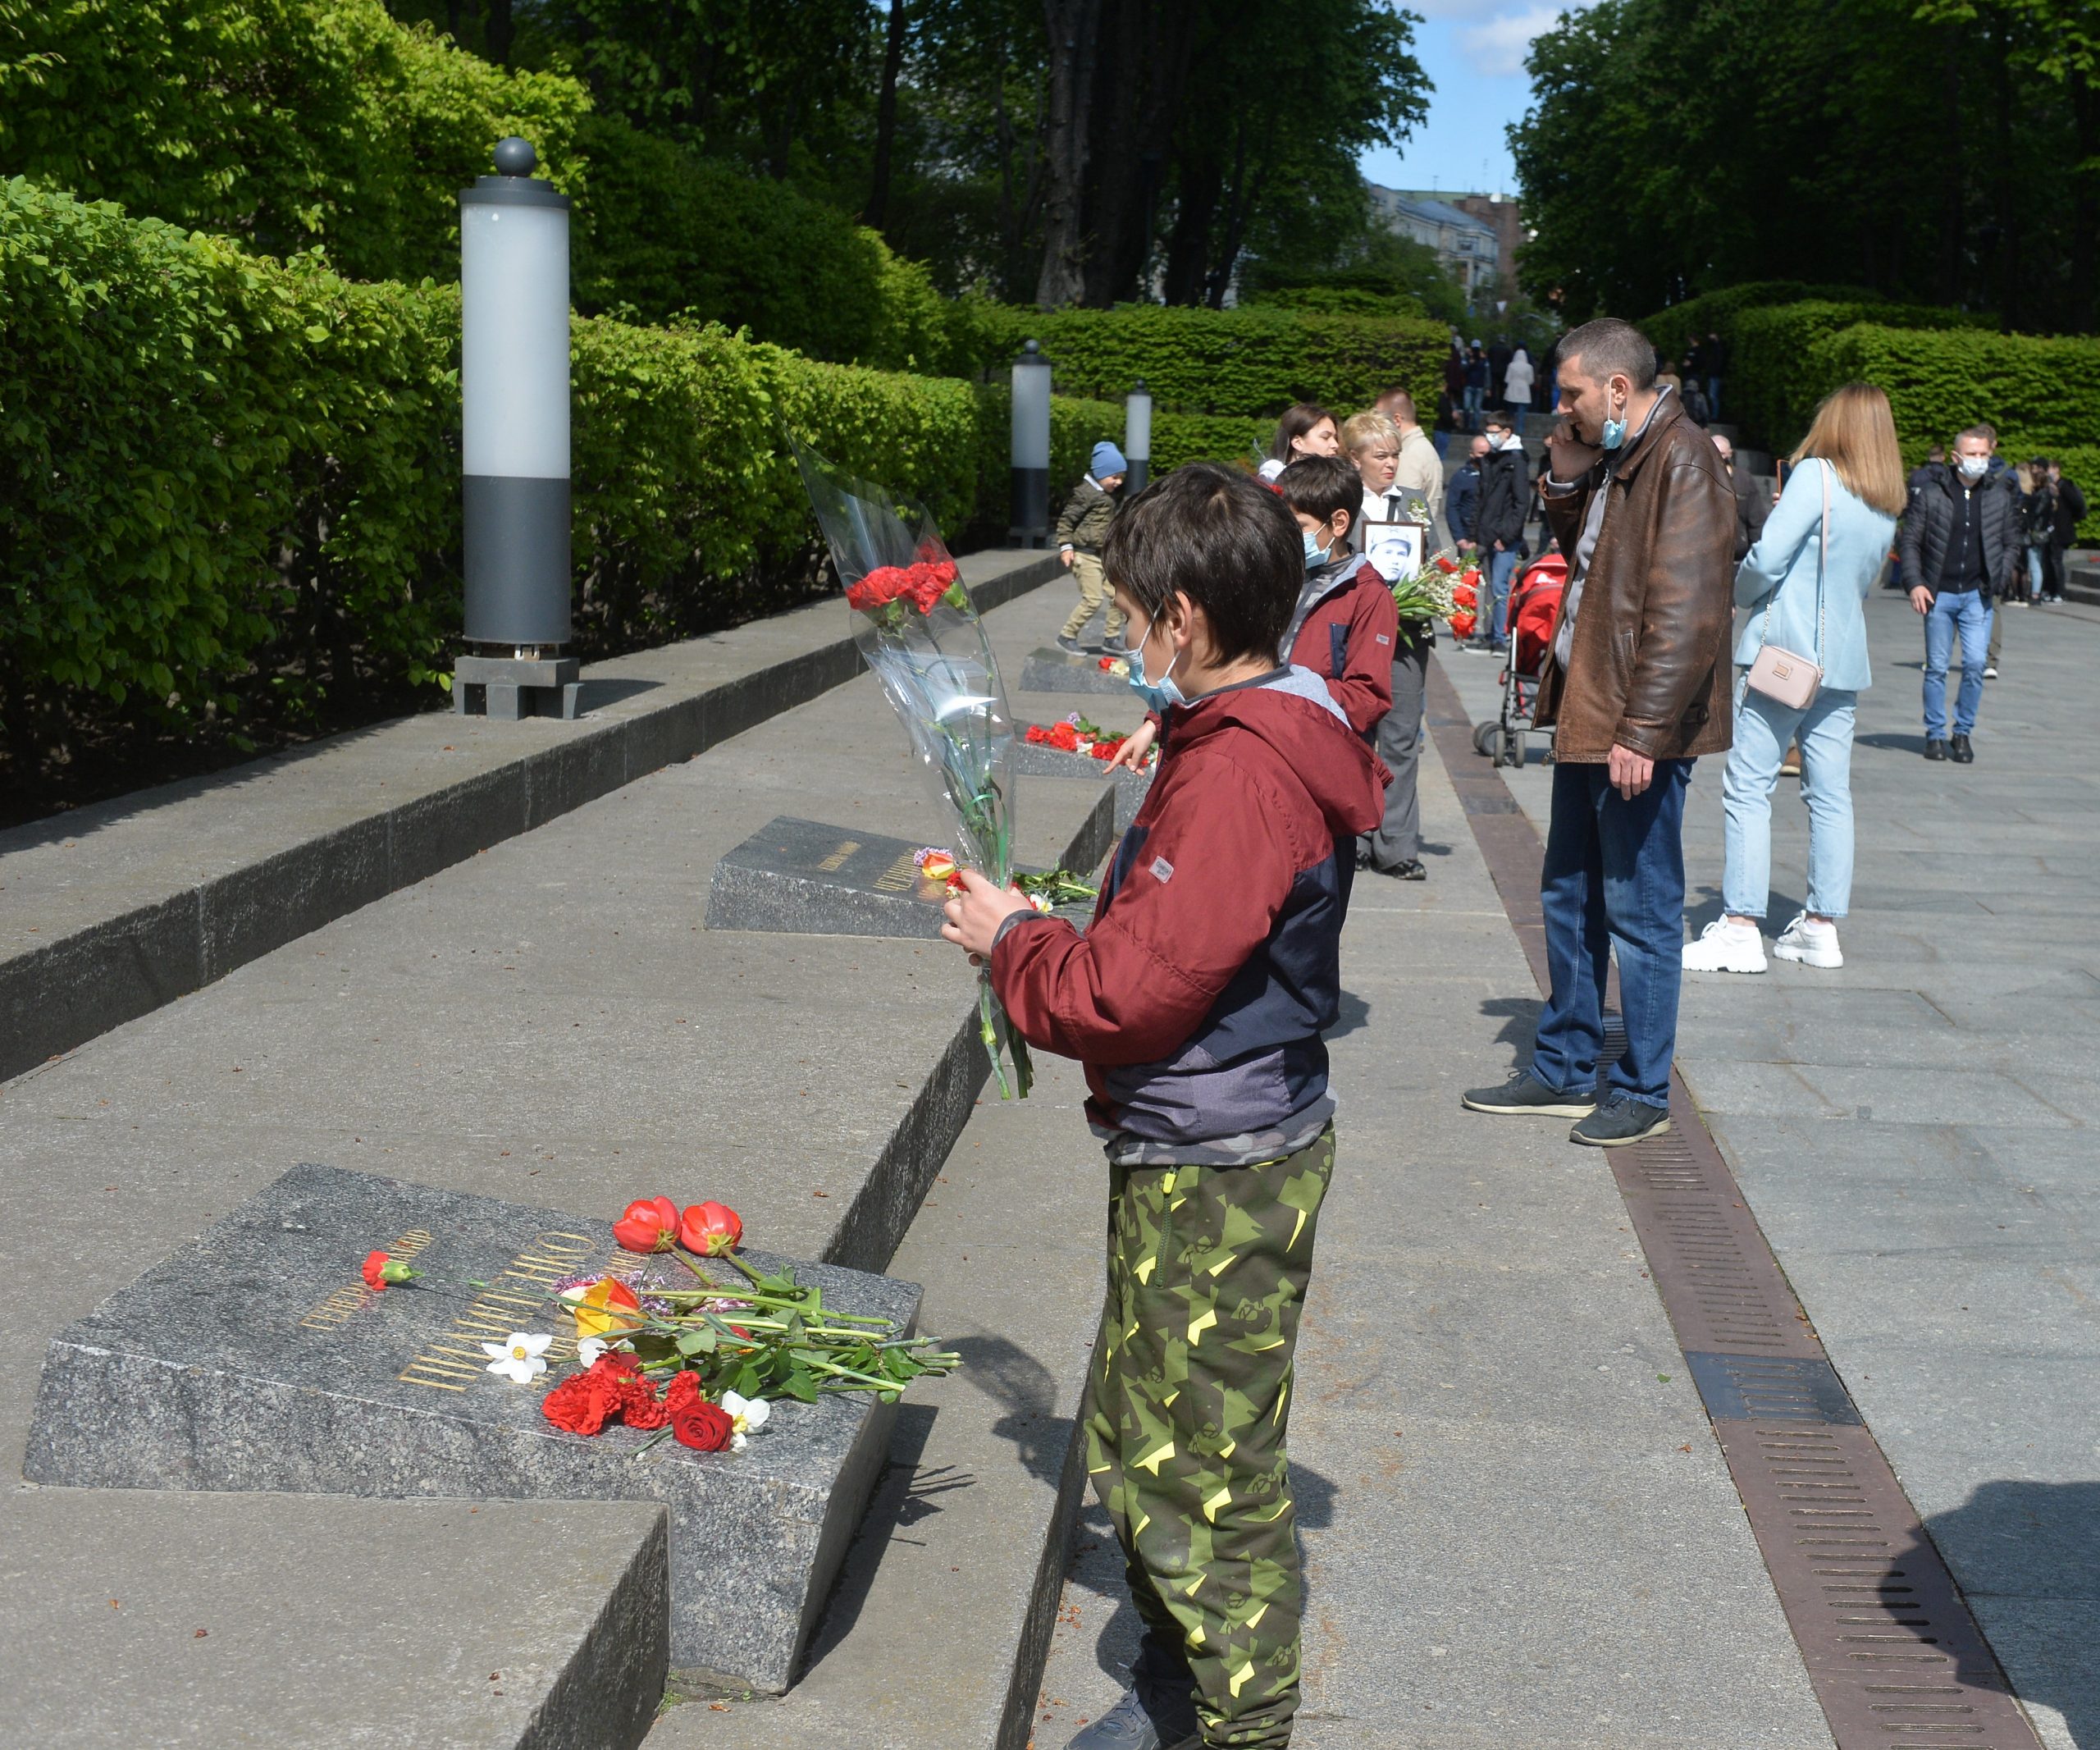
x: 312, y: 1623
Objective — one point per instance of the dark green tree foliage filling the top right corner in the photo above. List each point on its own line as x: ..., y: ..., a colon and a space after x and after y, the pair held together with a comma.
x: 1927, y: 152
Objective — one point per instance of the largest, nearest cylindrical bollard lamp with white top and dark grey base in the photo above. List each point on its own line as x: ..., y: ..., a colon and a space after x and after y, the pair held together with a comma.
x: 516, y: 436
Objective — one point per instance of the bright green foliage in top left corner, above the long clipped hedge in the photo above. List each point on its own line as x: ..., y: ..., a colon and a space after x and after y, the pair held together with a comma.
x: 278, y: 123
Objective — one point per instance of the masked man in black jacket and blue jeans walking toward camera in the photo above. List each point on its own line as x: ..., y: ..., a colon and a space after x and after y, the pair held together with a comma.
x: 1960, y: 547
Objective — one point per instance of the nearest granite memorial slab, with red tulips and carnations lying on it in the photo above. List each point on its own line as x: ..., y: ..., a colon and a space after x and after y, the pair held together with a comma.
x: 255, y: 1358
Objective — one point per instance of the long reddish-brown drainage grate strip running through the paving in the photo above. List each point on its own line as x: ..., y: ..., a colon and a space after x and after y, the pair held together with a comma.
x: 1889, y: 1644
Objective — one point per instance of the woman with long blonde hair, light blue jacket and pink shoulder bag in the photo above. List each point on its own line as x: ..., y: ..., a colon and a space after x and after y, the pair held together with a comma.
x: 1805, y: 585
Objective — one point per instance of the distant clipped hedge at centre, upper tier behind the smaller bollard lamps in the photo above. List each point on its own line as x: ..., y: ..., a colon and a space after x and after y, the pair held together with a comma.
x: 1244, y: 362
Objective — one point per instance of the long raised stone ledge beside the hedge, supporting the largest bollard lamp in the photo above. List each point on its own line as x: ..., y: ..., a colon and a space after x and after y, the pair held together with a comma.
x: 129, y: 904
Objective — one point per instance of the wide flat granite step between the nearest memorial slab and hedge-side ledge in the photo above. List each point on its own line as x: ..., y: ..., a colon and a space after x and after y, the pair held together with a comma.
x: 547, y: 1024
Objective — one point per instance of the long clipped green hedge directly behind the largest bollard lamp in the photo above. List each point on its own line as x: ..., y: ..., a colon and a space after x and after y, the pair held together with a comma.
x: 228, y: 484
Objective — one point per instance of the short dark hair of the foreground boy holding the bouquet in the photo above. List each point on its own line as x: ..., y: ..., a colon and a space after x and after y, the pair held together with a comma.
x: 1221, y: 539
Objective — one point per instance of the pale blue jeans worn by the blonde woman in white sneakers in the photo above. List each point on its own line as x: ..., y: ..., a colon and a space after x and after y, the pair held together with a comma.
x: 1763, y: 730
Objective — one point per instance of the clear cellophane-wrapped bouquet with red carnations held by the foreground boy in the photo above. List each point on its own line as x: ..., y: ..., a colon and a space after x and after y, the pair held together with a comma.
x: 919, y: 629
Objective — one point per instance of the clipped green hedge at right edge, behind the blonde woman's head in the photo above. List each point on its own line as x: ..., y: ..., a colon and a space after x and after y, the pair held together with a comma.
x: 2042, y: 394
